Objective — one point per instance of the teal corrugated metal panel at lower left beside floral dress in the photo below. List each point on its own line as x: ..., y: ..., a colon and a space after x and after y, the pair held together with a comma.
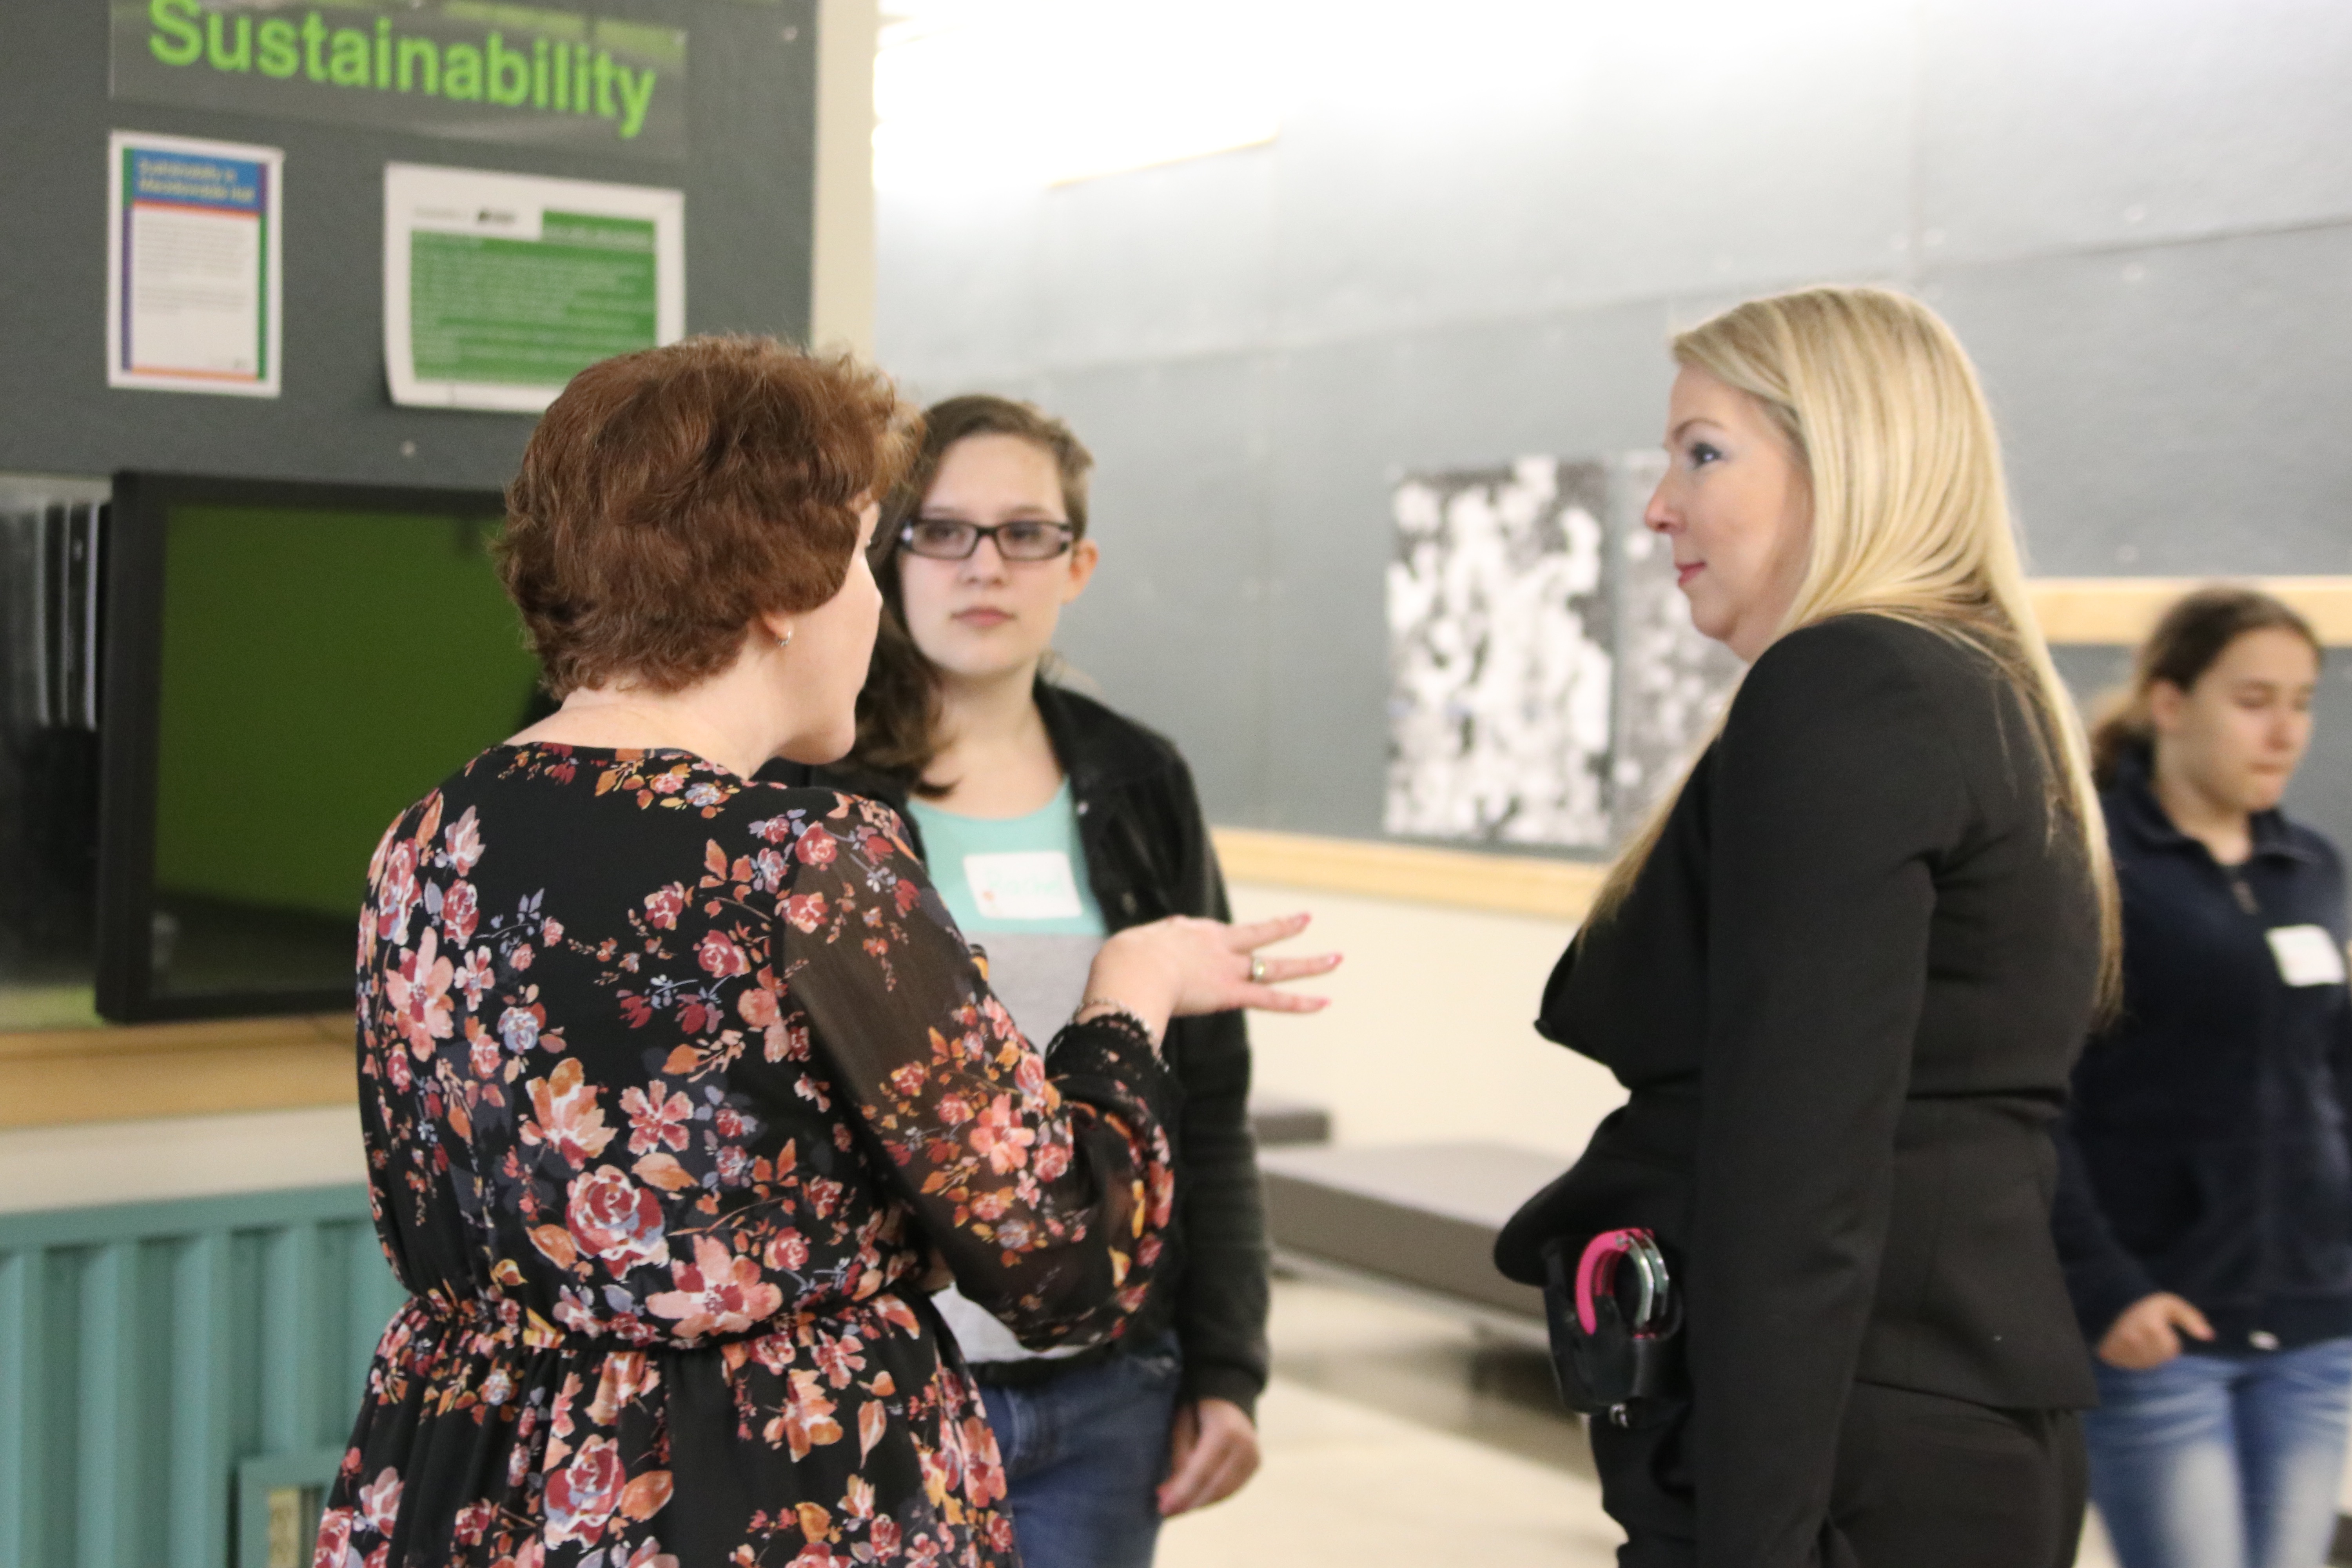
x: 156, y: 1353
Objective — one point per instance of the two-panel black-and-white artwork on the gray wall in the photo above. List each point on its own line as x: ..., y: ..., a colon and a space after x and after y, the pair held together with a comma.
x: 1546, y: 683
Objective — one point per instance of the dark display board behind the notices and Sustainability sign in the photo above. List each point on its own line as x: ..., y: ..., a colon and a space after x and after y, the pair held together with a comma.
x: 749, y: 168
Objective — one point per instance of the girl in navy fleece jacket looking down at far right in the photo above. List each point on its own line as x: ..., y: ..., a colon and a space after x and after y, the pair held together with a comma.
x: 2205, y: 1207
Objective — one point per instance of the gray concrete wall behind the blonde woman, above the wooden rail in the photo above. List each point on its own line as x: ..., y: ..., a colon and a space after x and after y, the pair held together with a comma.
x: 1481, y: 222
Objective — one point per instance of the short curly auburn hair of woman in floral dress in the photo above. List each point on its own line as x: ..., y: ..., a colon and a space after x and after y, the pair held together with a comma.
x: 674, y: 495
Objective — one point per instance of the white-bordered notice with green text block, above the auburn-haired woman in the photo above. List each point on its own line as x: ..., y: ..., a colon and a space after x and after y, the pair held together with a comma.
x: 500, y: 288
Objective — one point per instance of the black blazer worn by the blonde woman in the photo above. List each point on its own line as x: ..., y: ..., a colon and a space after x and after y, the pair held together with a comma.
x: 1845, y: 996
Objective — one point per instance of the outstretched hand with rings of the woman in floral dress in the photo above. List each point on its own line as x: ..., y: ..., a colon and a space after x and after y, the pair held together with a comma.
x: 1180, y: 967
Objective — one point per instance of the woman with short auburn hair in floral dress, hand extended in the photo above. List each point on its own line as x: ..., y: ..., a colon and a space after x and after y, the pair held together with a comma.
x: 679, y: 1085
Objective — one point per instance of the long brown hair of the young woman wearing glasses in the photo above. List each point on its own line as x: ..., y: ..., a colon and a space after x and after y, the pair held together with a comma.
x: 900, y: 704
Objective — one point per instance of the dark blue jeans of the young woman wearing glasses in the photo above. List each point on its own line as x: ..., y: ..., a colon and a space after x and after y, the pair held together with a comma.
x: 1085, y: 1456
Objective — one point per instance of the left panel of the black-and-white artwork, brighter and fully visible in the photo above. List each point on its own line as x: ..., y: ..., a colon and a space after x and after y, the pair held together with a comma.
x: 1502, y: 657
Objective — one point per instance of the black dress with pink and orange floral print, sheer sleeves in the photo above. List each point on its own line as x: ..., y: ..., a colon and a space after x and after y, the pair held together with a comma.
x: 674, y: 1087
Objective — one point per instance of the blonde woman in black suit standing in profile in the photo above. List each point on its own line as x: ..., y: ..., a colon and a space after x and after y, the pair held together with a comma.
x: 1845, y: 977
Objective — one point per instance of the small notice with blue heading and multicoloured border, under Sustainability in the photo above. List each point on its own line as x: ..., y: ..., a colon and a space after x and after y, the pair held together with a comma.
x: 192, y: 264
